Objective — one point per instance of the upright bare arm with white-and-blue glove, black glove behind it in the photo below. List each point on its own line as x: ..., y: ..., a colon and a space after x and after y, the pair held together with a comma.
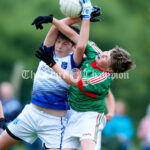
x: 88, y: 14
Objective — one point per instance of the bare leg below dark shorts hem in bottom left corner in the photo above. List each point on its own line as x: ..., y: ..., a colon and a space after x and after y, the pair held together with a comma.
x: 6, y: 141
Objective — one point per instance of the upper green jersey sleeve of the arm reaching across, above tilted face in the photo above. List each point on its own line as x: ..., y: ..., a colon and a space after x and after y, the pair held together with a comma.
x: 92, y: 50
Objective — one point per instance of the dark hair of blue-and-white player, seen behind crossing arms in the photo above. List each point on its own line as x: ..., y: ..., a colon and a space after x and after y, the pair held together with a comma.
x: 75, y: 27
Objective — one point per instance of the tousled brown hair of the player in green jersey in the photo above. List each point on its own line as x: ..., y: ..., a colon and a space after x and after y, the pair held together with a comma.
x: 120, y: 60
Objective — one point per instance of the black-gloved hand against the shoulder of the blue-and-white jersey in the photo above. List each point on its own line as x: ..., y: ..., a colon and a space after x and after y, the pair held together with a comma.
x: 46, y: 55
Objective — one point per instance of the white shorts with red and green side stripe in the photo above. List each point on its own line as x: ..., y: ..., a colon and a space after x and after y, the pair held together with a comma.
x: 83, y: 125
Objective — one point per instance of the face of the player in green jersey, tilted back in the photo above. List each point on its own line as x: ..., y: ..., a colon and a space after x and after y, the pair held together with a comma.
x: 104, y: 61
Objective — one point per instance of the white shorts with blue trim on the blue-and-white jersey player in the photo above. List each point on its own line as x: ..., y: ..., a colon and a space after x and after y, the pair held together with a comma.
x: 33, y: 123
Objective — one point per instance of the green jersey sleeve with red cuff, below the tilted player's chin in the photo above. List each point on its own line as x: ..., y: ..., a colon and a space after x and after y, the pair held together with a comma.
x: 97, y: 86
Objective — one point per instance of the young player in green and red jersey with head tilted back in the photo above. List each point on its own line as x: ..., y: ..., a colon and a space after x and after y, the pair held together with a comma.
x: 88, y: 93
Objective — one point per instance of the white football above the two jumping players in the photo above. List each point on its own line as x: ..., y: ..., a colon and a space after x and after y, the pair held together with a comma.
x: 70, y: 8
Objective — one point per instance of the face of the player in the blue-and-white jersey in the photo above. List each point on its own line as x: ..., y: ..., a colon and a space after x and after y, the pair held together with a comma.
x: 63, y: 47
